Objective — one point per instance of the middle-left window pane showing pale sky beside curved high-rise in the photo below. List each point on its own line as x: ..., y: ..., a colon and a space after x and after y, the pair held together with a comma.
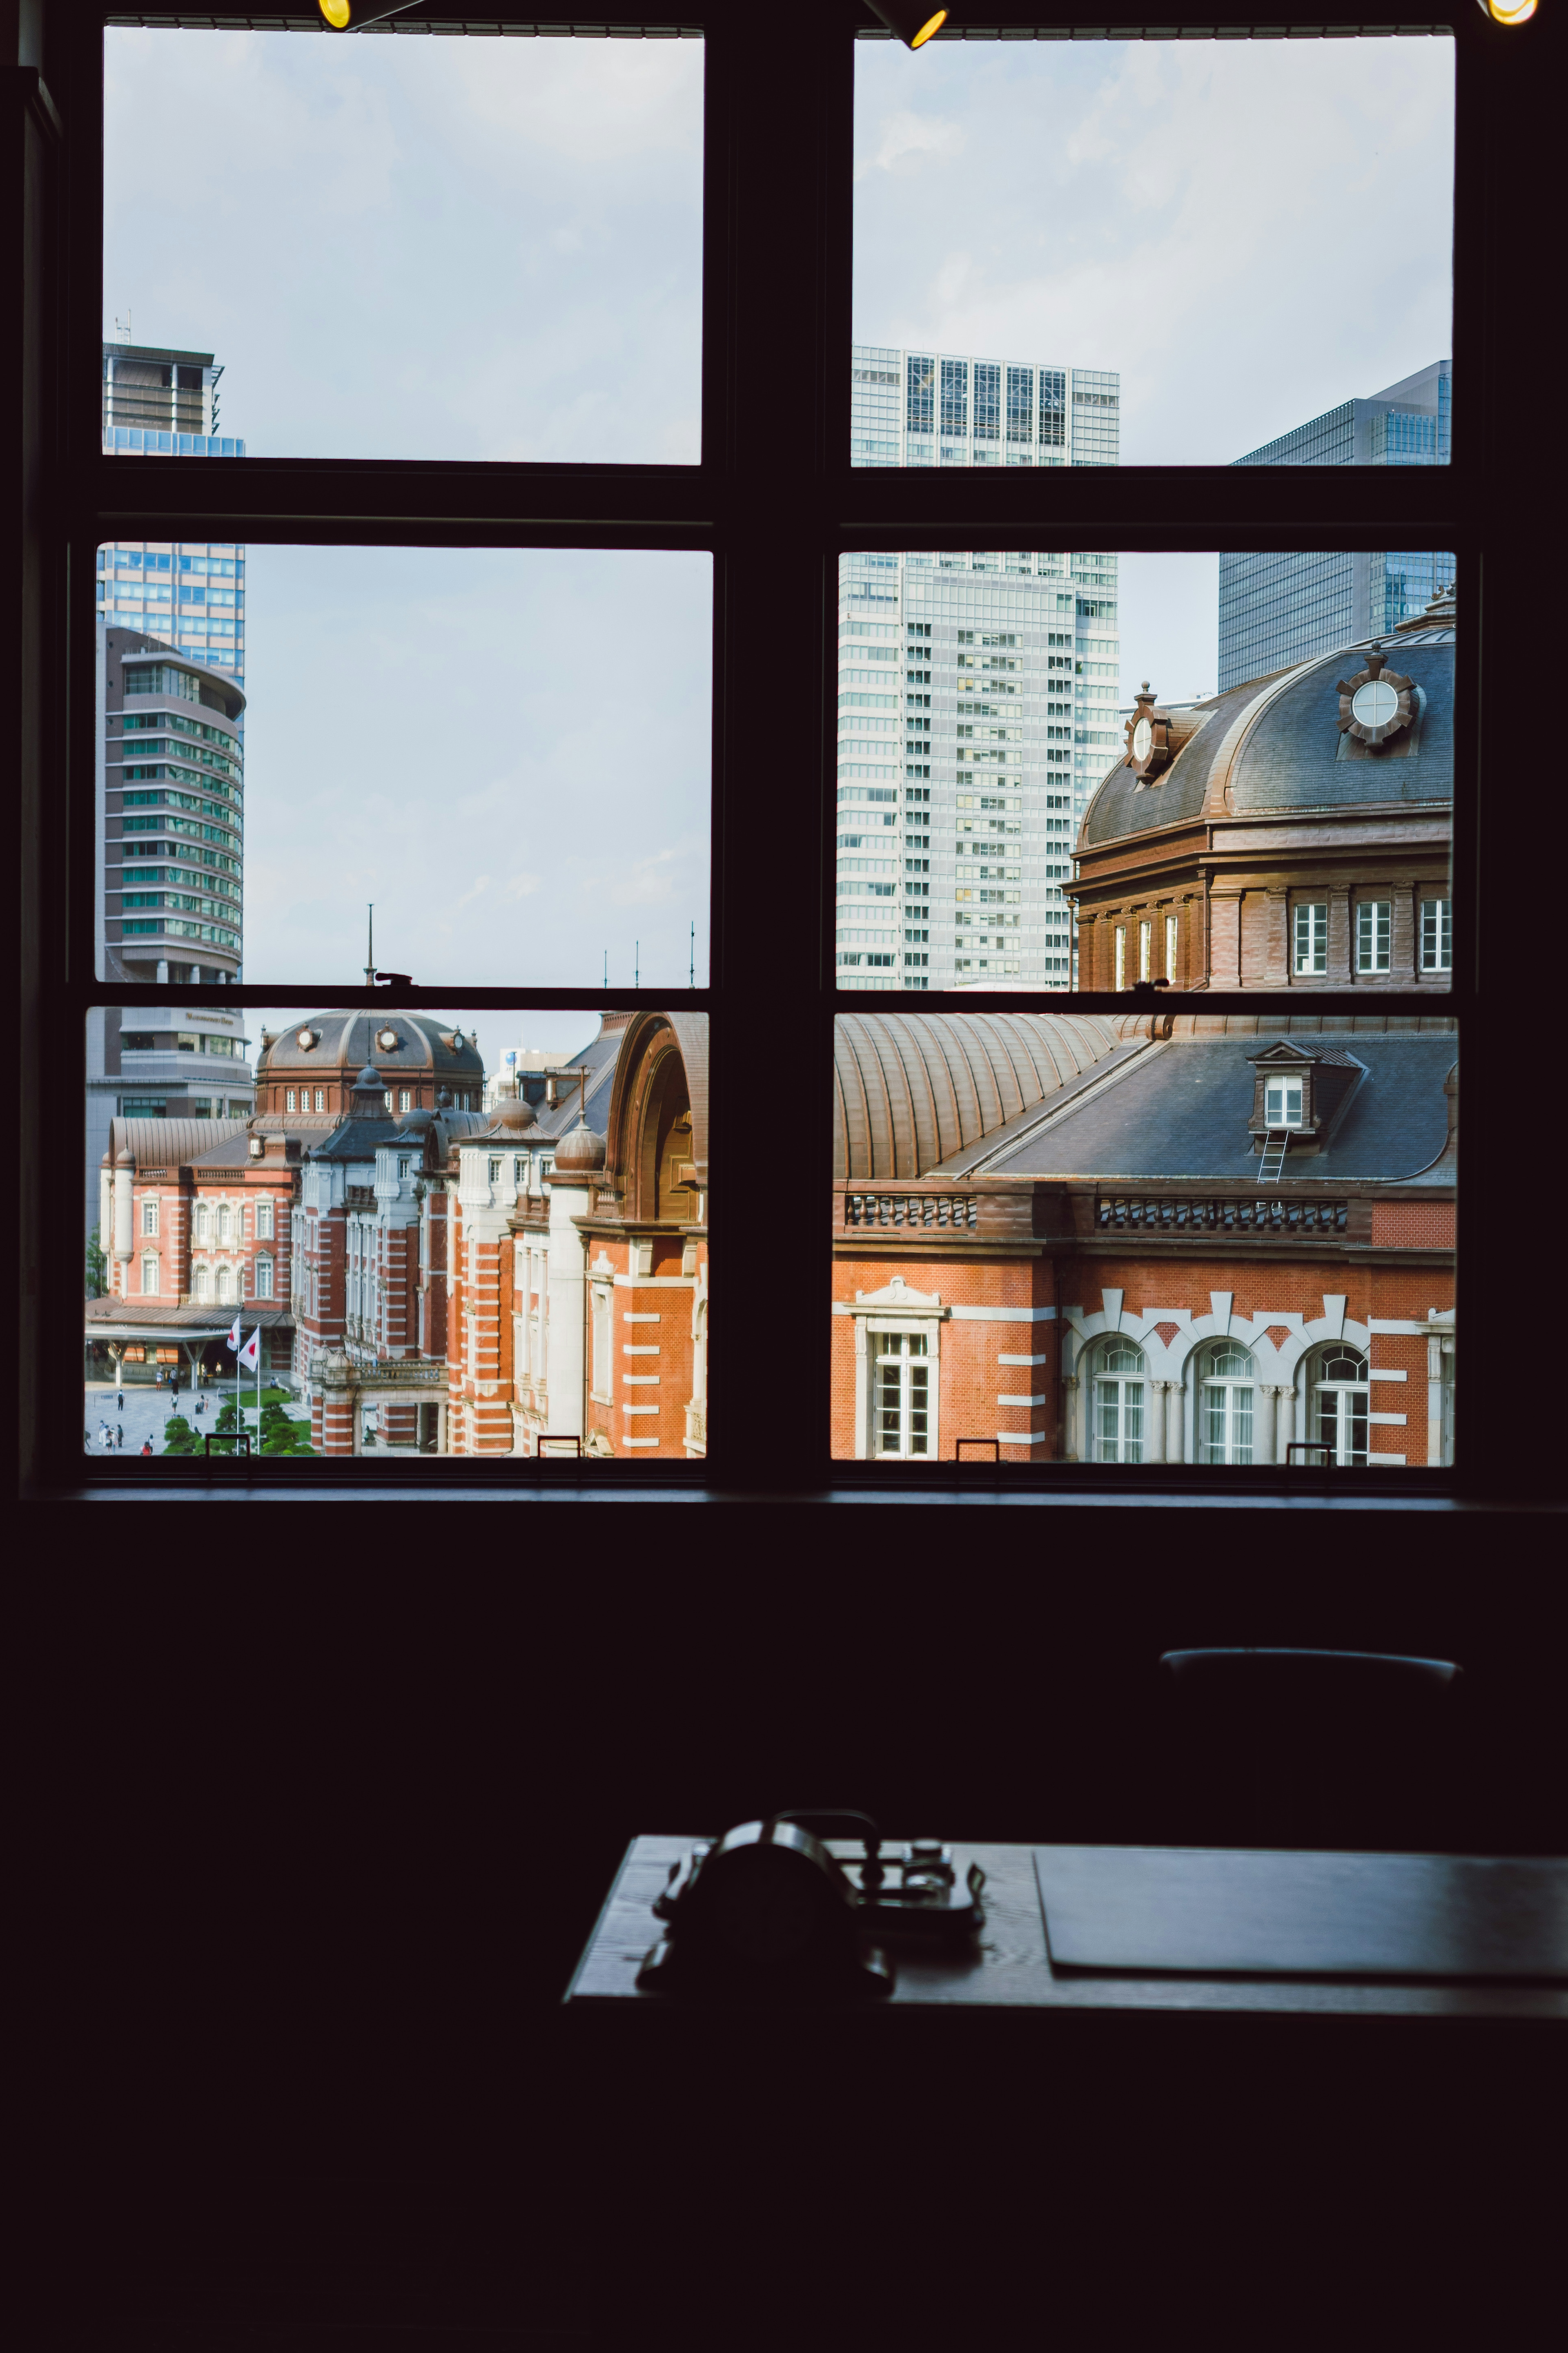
x: 504, y: 752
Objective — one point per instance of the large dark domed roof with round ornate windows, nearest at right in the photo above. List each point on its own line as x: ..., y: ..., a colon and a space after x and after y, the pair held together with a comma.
x: 1282, y: 742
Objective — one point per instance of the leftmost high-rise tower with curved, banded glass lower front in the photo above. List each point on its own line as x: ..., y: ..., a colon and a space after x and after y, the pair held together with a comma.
x: 170, y: 789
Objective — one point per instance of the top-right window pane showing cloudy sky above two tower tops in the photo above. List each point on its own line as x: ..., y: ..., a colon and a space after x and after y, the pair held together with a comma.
x: 1014, y: 206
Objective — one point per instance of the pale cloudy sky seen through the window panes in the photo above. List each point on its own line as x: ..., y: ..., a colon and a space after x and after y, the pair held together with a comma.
x: 492, y: 251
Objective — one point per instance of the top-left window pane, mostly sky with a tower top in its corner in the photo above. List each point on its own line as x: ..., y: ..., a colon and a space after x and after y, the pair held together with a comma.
x: 403, y: 248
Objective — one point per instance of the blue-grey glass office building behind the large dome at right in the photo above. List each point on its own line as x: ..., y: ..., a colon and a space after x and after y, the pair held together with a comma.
x: 1280, y: 608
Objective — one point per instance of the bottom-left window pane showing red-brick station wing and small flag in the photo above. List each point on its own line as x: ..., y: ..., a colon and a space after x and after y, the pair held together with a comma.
x: 403, y: 1305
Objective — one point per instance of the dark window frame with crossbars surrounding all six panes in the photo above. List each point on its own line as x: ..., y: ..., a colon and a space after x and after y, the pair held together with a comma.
x: 777, y: 234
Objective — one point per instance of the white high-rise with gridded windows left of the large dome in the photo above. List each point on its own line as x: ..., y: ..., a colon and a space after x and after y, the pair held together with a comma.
x: 977, y: 693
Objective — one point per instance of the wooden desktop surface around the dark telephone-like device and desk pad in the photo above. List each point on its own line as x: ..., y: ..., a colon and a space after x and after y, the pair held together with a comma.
x: 1012, y: 1966
